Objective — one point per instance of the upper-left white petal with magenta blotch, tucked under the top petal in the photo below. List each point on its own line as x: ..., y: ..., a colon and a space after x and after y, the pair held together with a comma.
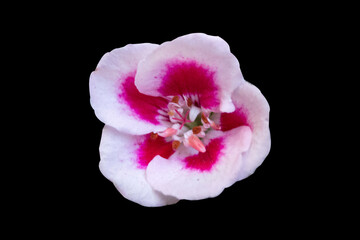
x: 116, y: 100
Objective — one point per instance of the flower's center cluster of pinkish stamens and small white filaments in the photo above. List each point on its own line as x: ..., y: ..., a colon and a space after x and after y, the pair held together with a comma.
x: 189, y: 123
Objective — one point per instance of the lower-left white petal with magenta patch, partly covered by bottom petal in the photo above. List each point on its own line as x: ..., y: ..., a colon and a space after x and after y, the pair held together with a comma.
x: 123, y: 158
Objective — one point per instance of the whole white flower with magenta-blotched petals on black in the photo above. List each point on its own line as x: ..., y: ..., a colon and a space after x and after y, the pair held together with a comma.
x: 180, y: 120
